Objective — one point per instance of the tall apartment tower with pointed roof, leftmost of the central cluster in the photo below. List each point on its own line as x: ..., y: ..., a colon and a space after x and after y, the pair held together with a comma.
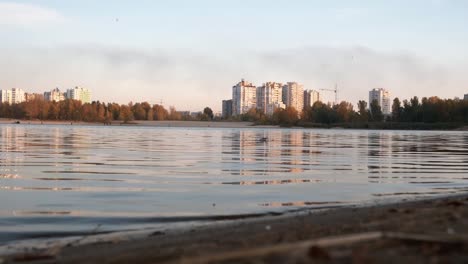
x: 244, y: 97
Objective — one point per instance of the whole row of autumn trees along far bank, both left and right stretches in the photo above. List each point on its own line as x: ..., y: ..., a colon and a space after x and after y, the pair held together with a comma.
x: 427, y: 110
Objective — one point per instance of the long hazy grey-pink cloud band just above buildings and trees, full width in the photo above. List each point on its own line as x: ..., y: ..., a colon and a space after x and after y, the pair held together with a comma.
x: 192, y: 80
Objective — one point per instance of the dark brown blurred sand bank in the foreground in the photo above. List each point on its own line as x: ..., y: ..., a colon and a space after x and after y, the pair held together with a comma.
x: 428, y: 231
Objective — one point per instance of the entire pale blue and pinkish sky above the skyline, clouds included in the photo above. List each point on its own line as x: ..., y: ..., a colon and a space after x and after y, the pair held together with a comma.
x: 189, y: 54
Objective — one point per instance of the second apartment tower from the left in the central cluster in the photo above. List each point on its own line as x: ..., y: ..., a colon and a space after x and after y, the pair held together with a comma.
x: 270, y: 97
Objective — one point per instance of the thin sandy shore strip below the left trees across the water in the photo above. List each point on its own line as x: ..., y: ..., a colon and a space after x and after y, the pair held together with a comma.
x: 215, y: 124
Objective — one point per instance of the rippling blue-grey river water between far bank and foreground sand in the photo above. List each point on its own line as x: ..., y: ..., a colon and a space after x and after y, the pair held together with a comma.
x: 65, y: 180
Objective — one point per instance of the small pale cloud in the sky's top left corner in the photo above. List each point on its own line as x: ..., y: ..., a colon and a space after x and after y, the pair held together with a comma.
x: 27, y: 14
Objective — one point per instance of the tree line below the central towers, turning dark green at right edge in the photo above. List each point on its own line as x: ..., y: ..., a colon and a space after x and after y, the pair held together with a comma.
x: 428, y: 110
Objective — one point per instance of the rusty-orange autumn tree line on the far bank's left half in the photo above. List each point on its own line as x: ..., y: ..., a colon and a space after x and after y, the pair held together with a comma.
x: 73, y: 110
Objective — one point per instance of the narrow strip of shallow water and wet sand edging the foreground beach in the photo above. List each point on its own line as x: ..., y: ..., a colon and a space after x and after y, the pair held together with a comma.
x: 56, y: 243
